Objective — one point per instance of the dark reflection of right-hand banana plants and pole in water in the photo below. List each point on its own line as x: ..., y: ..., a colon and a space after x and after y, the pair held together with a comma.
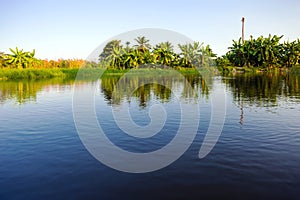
x: 263, y: 90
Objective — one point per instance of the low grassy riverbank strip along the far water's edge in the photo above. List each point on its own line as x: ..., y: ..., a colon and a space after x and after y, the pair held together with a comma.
x: 94, y: 73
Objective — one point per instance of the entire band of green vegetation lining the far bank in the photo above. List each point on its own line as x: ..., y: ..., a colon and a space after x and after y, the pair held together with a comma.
x: 260, y: 54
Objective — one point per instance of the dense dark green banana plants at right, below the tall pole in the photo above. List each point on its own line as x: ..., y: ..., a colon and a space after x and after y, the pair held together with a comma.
x: 263, y: 52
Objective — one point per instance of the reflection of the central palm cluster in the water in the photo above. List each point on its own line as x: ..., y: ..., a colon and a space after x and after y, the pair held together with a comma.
x: 143, y: 88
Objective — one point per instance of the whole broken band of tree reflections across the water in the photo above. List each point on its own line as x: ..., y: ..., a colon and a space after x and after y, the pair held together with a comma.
x: 263, y: 90
